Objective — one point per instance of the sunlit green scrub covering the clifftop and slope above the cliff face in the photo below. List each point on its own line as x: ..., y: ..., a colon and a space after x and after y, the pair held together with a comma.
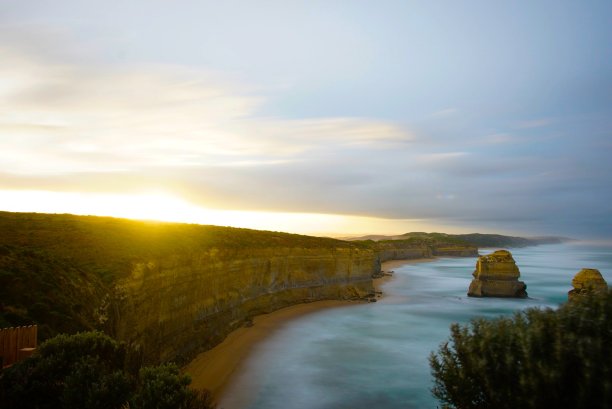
x: 54, y: 267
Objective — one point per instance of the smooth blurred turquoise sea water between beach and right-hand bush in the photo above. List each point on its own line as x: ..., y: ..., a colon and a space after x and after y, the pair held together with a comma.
x: 376, y: 355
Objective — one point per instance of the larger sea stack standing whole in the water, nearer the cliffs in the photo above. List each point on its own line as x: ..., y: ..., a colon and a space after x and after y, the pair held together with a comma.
x: 496, y: 275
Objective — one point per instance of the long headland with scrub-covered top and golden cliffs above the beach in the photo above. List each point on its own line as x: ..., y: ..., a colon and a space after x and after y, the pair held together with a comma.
x: 176, y: 289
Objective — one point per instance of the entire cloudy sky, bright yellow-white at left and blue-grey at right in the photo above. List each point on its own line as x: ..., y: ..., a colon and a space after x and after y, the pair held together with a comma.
x: 316, y: 117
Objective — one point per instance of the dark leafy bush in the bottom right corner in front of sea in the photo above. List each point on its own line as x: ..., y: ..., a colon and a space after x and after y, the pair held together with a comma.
x: 535, y: 359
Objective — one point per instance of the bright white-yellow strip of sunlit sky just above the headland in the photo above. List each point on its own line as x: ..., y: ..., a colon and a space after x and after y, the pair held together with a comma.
x: 162, y: 206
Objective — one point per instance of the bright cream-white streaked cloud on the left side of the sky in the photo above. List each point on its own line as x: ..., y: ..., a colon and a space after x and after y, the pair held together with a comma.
x: 69, y: 118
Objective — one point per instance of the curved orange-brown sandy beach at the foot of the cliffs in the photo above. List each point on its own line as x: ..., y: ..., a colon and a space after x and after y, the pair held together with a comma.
x: 214, y: 369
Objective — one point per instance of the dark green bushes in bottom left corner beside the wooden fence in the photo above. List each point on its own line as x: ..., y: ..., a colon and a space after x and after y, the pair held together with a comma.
x: 91, y: 370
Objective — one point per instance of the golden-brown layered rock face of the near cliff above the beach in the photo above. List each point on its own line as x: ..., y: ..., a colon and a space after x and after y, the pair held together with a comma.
x: 173, y: 308
